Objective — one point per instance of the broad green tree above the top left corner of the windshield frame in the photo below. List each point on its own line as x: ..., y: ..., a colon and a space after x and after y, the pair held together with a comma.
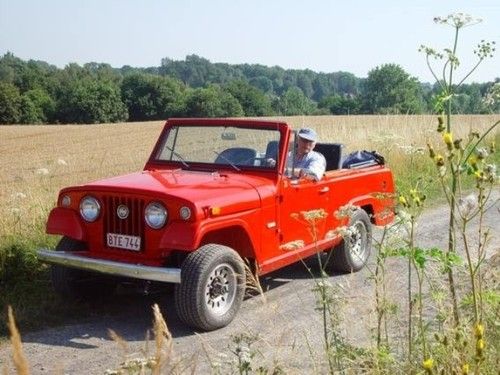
x: 150, y: 97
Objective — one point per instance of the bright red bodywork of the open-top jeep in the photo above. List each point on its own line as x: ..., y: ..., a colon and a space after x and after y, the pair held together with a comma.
x: 253, y: 211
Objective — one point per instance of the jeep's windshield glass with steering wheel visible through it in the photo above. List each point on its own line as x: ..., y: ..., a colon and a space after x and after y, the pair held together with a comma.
x: 226, y: 146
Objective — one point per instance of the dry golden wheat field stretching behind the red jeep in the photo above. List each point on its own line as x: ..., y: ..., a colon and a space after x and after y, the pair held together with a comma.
x: 37, y: 161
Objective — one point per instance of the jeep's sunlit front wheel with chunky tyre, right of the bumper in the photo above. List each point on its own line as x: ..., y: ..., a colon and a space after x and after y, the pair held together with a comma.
x: 212, y: 287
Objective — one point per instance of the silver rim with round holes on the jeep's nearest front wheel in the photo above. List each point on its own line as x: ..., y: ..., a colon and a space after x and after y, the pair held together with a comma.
x: 220, y: 289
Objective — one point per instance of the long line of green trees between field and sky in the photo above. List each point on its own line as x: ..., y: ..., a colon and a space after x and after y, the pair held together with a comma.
x: 35, y: 92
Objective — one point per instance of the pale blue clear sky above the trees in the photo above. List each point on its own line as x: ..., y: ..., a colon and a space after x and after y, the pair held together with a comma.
x: 324, y: 36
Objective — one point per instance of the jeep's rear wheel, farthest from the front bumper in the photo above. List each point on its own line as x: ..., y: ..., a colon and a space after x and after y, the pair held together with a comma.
x: 352, y: 253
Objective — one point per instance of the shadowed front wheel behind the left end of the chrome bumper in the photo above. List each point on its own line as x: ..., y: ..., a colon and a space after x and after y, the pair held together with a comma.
x: 72, y: 283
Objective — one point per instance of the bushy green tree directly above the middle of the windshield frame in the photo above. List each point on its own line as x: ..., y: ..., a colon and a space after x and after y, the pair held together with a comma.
x: 212, y: 102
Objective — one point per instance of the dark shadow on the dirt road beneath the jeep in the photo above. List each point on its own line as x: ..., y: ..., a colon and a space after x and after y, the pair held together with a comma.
x: 129, y: 311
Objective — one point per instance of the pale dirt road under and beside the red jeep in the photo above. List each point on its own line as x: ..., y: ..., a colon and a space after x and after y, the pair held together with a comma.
x: 287, y: 327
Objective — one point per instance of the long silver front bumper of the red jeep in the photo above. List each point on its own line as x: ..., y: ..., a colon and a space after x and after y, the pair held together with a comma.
x: 70, y: 259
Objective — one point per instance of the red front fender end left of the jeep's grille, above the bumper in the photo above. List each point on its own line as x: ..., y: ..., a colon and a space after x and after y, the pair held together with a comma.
x: 65, y: 222
